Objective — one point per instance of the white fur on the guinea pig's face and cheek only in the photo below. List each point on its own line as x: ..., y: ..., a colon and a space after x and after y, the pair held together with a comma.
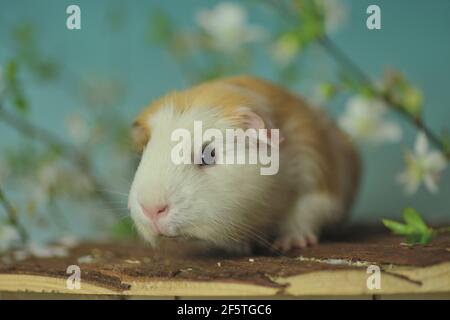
x: 223, y: 204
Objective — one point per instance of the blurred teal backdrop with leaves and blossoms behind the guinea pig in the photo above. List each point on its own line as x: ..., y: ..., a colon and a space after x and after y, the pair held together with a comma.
x: 68, y: 97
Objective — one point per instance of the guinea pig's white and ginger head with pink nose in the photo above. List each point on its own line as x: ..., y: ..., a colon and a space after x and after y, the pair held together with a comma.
x: 200, y: 199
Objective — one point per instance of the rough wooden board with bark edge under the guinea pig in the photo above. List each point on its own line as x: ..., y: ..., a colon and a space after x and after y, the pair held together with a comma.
x: 336, y: 267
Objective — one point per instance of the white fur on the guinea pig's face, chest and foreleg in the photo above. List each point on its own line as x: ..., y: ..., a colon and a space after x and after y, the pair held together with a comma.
x: 230, y: 206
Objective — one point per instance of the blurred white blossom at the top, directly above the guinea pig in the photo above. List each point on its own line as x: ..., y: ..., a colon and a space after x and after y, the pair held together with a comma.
x: 227, y: 26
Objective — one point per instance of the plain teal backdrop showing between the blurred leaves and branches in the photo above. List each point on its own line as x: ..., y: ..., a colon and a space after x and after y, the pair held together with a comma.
x: 414, y: 39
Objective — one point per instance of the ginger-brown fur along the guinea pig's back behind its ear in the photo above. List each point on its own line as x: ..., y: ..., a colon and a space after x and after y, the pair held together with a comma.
x: 309, y: 130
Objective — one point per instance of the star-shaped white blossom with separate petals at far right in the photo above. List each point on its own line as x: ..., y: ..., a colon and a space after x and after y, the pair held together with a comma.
x: 422, y: 165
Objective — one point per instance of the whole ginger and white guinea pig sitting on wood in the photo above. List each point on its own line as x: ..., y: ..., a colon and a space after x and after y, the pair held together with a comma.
x: 233, y: 206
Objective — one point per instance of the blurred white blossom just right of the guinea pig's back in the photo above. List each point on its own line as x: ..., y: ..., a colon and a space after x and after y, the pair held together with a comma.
x: 364, y: 120
